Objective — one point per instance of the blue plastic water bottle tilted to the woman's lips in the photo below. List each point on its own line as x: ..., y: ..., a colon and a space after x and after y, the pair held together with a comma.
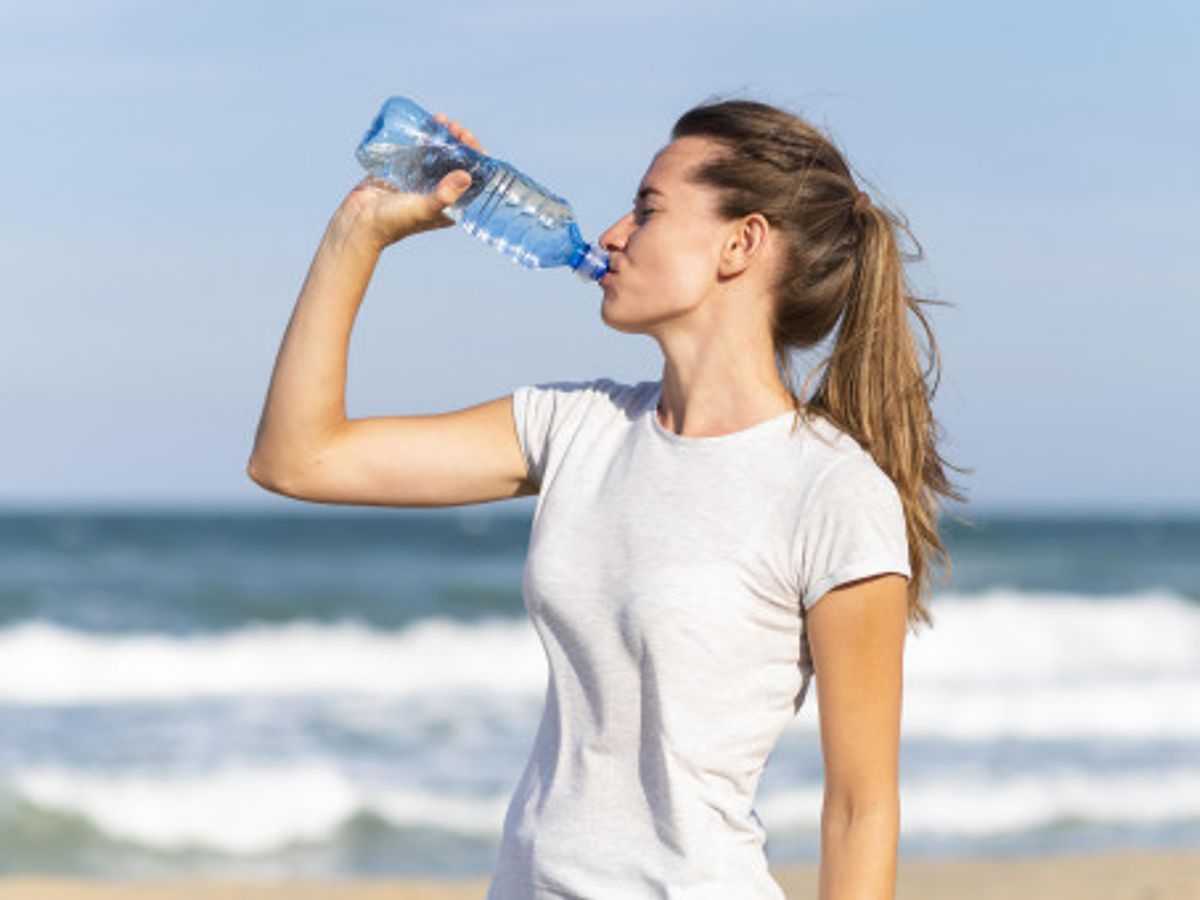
x: 410, y: 149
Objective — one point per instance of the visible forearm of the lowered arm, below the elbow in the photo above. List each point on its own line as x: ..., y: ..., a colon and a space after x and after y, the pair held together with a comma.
x: 859, y: 855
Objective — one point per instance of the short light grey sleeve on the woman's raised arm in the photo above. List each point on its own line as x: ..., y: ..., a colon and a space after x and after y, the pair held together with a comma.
x: 545, y: 416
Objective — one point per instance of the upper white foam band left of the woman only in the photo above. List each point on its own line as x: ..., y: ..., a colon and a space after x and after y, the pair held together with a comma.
x: 50, y: 665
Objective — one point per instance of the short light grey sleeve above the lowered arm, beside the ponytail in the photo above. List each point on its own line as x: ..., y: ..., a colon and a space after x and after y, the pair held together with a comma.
x: 853, y: 527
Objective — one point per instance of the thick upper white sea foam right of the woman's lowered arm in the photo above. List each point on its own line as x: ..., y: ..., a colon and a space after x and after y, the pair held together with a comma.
x: 1057, y: 667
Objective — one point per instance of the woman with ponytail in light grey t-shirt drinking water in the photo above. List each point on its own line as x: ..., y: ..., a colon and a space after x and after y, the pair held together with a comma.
x: 703, y: 545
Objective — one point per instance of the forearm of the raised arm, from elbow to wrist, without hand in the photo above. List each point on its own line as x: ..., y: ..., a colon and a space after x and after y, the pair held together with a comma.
x: 307, y: 400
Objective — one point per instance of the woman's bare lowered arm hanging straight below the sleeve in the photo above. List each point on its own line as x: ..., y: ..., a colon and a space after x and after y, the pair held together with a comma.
x: 857, y: 635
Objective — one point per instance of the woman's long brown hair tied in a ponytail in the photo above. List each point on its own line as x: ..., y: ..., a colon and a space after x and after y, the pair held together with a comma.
x: 843, y: 269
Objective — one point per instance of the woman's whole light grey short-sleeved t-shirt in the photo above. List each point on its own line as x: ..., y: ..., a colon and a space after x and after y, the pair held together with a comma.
x: 669, y: 578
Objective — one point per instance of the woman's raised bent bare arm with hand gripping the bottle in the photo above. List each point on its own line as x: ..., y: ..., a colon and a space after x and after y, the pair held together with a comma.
x: 307, y: 448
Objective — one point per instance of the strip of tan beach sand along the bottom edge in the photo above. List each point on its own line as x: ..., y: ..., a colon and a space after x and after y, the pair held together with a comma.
x: 1125, y: 875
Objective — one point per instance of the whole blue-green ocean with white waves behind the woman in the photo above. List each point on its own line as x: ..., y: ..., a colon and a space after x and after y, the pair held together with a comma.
x: 334, y: 693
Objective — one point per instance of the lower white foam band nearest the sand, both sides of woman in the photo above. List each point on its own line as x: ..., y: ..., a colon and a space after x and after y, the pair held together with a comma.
x: 309, y: 802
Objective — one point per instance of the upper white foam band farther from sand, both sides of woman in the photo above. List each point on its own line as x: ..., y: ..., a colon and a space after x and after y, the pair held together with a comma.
x: 1003, y: 664
